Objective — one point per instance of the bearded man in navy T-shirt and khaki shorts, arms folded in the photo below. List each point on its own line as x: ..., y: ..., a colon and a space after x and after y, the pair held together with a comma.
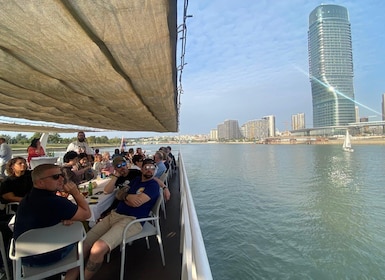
x: 107, y: 234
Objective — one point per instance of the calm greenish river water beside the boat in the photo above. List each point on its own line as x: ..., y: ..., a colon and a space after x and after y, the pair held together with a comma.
x: 290, y: 211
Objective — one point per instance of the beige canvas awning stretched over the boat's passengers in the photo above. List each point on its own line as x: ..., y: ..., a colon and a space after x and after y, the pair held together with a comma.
x: 97, y: 64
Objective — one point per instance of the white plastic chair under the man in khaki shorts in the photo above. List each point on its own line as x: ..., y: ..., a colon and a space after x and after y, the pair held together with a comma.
x: 150, y: 227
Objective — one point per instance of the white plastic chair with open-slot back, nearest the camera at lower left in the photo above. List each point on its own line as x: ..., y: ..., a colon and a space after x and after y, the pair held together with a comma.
x: 43, y: 240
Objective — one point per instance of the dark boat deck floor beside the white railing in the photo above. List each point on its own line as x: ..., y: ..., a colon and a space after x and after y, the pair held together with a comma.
x: 147, y: 264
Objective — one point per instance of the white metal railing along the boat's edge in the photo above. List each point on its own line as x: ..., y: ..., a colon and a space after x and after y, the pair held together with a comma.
x: 195, y: 264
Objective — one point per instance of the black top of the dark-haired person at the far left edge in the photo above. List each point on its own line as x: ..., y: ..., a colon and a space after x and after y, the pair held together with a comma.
x: 20, y: 186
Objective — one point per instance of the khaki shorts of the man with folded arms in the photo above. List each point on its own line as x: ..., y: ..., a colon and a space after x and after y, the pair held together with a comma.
x: 110, y: 230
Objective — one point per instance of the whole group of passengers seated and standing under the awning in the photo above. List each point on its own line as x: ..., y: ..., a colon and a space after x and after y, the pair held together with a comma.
x: 135, y: 175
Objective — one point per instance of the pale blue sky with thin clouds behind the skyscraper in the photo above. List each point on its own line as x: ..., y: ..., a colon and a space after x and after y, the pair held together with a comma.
x: 248, y: 59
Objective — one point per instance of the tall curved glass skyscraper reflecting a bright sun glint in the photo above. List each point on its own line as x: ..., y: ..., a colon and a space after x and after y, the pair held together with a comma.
x: 331, y: 66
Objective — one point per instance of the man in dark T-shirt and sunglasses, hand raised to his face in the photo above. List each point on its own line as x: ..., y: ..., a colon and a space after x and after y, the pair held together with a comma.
x: 41, y: 207
